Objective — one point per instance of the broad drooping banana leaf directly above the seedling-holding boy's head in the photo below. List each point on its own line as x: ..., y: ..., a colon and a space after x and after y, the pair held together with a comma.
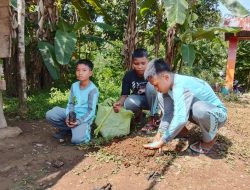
x: 64, y: 46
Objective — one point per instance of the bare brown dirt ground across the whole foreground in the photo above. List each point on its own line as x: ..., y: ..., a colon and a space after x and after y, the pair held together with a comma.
x: 34, y: 160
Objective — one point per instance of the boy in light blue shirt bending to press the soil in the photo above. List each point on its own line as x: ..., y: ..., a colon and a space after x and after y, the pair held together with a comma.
x: 184, y: 98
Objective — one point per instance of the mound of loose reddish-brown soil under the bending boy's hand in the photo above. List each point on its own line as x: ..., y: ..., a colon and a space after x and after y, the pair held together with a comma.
x: 131, y: 152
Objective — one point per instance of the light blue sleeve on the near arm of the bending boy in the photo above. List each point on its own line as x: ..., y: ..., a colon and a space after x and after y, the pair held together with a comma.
x: 182, y: 101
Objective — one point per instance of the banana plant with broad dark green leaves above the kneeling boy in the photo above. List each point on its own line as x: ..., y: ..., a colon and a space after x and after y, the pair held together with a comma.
x: 60, y: 52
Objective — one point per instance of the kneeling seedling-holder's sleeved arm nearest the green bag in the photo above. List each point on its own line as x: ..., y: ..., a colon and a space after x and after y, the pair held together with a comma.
x: 92, y: 102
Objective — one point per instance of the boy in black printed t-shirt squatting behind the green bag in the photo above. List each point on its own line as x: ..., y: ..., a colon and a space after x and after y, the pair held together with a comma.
x: 137, y: 93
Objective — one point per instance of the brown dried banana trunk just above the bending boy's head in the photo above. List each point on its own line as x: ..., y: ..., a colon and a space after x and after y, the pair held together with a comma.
x: 170, y: 46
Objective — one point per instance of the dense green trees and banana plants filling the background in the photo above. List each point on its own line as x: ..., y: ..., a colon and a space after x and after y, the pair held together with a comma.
x: 59, y: 32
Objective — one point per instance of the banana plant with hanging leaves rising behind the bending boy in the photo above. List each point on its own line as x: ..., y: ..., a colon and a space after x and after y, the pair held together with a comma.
x: 180, y: 17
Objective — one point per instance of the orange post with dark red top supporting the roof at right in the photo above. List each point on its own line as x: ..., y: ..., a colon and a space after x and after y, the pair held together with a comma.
x: 231, y: 62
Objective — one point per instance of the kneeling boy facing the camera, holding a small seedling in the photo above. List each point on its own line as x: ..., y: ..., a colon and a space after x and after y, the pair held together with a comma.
x: 81, y: 105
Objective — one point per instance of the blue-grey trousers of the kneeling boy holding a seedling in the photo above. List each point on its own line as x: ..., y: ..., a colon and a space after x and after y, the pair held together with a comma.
x: 57, y: 116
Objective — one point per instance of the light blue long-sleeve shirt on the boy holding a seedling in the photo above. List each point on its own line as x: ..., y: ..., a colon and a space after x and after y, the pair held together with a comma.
x: 83, y: 102
